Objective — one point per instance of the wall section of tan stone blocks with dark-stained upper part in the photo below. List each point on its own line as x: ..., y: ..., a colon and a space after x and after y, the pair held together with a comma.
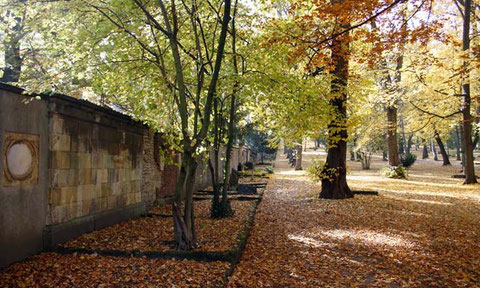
x: 96, y: 158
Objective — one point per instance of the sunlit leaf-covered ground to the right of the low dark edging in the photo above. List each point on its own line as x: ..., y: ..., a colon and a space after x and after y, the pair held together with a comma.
x: 420, y: 232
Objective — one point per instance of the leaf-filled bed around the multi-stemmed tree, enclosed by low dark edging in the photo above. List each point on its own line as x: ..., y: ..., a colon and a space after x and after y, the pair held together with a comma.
x: 156, y: 233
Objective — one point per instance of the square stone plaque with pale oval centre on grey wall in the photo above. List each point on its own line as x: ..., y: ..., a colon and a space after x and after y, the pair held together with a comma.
x: 20, y: 159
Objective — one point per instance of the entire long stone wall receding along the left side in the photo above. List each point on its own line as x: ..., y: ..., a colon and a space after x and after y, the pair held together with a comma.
x: 88, y: 167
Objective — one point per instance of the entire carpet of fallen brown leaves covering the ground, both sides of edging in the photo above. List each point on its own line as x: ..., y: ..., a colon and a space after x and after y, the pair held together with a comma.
x: 419, y: 232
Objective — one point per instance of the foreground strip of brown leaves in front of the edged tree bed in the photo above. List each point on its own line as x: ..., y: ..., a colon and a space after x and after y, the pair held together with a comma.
x: 78, y: 270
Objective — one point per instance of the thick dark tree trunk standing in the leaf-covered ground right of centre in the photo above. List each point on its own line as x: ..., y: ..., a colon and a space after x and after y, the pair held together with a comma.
x: 336, y: 187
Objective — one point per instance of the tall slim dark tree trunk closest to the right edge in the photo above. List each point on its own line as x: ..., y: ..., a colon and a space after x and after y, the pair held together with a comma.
x: 469, y: 170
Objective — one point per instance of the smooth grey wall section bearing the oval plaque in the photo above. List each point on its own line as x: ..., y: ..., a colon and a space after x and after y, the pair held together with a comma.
x: 22, y: 199
